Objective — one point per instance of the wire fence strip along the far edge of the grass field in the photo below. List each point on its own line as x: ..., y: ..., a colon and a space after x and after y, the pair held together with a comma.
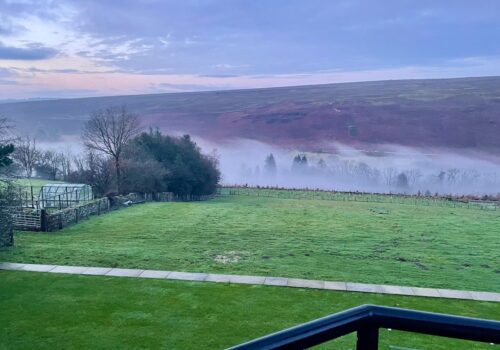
x: 306, y: 194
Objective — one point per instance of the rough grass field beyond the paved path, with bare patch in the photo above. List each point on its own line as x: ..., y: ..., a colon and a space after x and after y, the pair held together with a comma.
x: 349, y: 241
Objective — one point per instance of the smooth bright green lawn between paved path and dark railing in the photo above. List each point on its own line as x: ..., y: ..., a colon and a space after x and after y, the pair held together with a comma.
x: 49, y: 311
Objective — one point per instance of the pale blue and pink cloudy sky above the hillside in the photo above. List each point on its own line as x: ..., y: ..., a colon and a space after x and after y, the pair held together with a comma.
x: 61, y: 49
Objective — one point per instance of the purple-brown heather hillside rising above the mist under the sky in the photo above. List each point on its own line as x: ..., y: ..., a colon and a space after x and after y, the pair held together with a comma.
x: 450, y: 113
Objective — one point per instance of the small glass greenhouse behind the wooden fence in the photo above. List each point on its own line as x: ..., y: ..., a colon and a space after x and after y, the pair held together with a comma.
x: 61, y: 195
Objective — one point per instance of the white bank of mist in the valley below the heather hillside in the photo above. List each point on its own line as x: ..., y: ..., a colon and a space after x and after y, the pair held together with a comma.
x: 396, y: 169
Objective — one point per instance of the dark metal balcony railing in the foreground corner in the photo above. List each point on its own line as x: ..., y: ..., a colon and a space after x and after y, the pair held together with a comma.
x: 366, y: 320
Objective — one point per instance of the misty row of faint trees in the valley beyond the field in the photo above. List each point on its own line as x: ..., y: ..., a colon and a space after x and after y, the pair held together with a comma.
x: 351, y: 174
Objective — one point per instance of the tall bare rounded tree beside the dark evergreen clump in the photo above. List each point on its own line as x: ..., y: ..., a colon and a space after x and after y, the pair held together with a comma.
x: 108, y: 131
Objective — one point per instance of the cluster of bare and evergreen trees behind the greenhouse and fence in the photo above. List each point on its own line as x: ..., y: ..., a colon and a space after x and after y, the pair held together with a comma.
x: 120, y: 156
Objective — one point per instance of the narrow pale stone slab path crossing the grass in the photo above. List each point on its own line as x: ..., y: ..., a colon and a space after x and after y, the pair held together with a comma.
x: 257, y: 280
